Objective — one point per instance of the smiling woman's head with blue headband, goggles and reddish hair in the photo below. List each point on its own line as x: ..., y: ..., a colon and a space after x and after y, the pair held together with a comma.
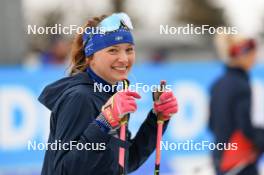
x: 109, y: 55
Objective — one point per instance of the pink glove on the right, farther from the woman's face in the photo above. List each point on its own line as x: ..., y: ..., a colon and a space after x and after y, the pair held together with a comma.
x: 166, y: 105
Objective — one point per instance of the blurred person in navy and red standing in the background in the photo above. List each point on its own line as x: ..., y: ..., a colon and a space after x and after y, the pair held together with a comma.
x: 230, y: 107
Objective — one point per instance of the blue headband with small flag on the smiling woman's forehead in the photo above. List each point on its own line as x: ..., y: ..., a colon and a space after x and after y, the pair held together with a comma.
x: 96, y: 42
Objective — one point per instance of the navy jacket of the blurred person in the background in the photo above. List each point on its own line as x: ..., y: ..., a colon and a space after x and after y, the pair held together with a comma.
x: 230, y: 110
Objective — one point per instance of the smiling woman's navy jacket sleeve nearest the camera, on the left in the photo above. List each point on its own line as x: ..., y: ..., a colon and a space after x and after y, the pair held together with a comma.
x: 76, y: 112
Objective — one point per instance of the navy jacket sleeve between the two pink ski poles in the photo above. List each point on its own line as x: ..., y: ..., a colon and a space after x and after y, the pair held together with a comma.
x: 144, y: 142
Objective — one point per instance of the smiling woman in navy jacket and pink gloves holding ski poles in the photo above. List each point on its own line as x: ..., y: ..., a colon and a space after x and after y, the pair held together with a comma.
x: 84, y: 115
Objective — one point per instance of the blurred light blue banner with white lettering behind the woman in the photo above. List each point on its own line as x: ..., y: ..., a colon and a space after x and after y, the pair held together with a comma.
x: 23, y: 119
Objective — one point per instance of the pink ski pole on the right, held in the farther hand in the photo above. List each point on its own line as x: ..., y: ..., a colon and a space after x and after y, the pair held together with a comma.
x: 159, y: 128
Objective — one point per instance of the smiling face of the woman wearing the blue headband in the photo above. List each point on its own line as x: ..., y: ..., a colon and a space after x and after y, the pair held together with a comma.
x: 113, y: 63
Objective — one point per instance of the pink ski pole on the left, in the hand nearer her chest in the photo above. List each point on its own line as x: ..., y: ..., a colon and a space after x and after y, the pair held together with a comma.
x: 122, y: 136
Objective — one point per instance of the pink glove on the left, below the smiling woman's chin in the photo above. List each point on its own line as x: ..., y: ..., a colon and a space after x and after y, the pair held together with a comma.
x: 118, y: 106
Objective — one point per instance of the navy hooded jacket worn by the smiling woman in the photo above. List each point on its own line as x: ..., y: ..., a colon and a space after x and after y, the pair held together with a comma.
x: 74, y: 106
